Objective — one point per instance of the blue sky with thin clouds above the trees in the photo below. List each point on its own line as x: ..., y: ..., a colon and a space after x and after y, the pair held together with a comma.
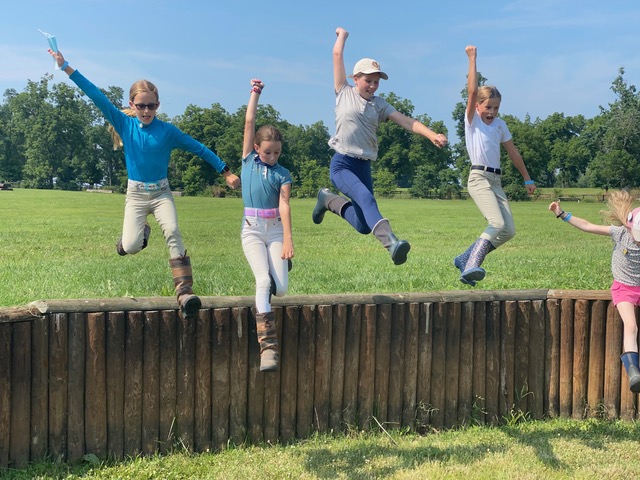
x: 545, y: 56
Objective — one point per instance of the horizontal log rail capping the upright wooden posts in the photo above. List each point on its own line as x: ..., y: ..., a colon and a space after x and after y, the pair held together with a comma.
x: 42, y: 307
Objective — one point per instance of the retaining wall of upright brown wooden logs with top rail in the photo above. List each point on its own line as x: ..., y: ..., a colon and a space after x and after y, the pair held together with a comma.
x: 125, y: 377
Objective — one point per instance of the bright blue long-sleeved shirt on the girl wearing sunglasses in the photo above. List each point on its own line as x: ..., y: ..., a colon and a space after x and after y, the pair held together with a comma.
x: 147, y: 148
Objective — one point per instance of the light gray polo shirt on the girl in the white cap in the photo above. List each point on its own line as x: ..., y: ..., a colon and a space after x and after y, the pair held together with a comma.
x: 357, y: 122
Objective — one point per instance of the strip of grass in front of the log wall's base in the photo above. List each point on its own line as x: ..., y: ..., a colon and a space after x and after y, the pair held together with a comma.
x: 555, y: 449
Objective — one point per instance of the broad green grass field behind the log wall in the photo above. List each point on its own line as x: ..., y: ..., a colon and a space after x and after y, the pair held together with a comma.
x: 59, y: 245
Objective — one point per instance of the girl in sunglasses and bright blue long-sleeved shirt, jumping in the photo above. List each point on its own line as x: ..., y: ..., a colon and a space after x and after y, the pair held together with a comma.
x: 147, y: 143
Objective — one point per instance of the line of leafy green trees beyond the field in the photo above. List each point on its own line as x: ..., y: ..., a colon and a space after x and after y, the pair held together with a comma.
x: 52, y: 136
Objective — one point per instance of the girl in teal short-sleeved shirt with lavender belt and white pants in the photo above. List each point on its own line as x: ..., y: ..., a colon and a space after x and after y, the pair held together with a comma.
x: 266, y: 225
